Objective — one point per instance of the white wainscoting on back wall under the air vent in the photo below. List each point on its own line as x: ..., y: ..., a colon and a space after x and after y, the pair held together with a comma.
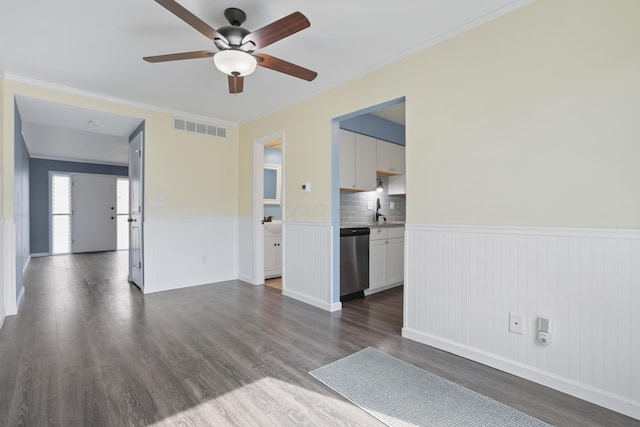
x: 179, y: 253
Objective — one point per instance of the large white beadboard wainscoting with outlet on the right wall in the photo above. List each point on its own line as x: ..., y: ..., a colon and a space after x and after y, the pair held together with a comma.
x: 461, y: 282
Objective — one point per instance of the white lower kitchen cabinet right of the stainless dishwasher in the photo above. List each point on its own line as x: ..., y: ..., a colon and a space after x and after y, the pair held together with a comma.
x: 386, y: 258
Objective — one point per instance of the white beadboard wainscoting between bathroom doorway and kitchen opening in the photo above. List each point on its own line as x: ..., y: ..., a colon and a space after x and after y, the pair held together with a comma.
x: 307, y: 263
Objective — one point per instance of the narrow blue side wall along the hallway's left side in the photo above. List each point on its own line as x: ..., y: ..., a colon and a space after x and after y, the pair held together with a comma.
x: 21, y: 206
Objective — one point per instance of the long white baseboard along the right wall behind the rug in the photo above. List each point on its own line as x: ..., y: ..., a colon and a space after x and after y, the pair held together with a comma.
x: 590, y: 394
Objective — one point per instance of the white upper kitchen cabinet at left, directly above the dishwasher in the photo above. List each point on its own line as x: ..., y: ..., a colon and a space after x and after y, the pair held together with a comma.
x: 357, y: 161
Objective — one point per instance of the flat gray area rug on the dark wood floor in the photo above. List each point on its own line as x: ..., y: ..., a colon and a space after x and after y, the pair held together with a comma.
x: 400, y: 394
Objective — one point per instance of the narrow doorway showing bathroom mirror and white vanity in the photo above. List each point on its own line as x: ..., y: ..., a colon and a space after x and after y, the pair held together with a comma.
x: 268, y: 210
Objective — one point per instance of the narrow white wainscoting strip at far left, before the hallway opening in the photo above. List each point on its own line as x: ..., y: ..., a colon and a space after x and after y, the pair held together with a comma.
x: 9, y: 304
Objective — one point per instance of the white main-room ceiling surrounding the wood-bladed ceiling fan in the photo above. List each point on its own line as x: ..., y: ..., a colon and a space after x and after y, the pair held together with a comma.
x: 97, y: 48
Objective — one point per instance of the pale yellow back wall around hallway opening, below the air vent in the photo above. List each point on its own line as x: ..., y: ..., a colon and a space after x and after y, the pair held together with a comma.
x: 195, y: 175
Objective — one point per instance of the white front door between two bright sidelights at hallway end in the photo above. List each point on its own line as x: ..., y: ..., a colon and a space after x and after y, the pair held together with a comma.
x: 93, y: 199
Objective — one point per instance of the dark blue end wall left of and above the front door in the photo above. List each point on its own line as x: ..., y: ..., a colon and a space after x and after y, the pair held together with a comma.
x: 39, y: 193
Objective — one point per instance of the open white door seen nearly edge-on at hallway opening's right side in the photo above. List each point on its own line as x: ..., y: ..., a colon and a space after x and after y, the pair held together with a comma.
x: 135, y: 211
